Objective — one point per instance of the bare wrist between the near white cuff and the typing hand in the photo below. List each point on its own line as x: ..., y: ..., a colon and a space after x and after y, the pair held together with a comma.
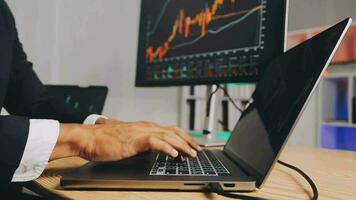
x: 72, y: 138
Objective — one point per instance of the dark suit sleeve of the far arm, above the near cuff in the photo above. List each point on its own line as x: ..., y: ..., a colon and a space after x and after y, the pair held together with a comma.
x: 26, y: 94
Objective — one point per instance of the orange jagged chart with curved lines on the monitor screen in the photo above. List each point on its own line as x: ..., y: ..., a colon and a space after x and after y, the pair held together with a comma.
x: 202, y: 28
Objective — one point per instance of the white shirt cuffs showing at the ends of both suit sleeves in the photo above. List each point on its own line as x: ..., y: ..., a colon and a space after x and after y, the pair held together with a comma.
x: 42, y: 138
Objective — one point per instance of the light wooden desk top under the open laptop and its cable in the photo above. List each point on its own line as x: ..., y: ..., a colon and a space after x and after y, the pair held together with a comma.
x: 334, y: 173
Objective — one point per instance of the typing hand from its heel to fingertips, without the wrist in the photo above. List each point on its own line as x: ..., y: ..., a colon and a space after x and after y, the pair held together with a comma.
x: 115, y: 140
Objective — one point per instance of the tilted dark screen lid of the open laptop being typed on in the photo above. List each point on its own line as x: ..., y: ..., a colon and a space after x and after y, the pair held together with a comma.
x: 278, y: 101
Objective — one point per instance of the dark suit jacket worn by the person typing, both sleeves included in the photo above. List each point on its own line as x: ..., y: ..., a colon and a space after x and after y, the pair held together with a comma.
x: 22, y: 94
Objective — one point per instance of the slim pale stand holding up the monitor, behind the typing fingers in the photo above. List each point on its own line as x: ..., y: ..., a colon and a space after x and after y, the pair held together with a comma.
x: 210, y: 131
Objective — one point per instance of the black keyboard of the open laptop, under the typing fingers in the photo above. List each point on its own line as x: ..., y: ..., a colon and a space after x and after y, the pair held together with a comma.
x: 205, y: 164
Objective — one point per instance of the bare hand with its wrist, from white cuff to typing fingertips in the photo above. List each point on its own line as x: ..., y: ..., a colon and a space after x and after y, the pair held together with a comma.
x: 111, y: 140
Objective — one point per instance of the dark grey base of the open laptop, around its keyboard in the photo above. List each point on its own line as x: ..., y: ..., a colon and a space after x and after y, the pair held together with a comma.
x: 127, y: 174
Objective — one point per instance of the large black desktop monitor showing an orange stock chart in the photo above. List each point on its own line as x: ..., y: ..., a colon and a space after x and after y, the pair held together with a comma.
x: 194, y: 42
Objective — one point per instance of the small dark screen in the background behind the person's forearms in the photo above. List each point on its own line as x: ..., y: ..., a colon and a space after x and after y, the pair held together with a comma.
x: 76, y: 100
